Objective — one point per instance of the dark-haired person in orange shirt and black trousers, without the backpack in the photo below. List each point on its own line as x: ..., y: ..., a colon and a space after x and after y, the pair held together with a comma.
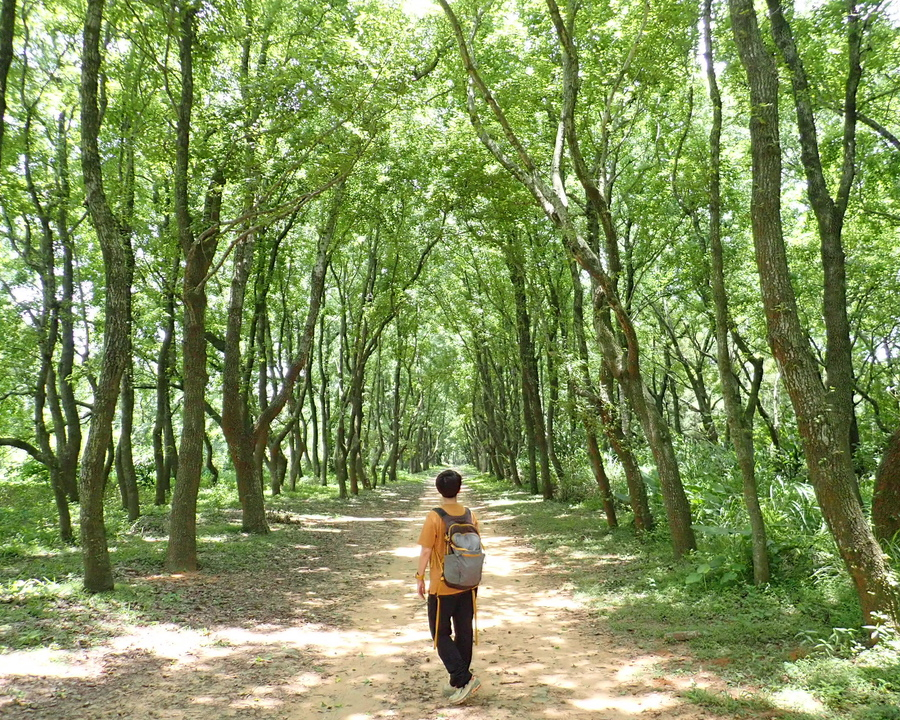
x: 448, y: 604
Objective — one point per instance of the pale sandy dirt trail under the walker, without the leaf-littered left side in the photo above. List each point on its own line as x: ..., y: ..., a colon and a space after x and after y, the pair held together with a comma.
x: 539, y: 656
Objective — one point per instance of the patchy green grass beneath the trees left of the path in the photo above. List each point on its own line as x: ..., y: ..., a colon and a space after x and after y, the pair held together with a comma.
x: 43, y: 604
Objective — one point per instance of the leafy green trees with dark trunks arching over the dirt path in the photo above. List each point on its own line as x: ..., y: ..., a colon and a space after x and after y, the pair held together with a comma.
x: 342, y: 239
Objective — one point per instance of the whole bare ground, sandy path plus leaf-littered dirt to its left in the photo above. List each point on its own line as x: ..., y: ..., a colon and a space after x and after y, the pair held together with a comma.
x: 330, y: 627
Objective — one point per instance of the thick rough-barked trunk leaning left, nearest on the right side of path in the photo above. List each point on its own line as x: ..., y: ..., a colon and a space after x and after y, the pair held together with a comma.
x: 824, y: 441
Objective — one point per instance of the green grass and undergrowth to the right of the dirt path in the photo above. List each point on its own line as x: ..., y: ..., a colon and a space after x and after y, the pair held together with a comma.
x: 792, y: 649
